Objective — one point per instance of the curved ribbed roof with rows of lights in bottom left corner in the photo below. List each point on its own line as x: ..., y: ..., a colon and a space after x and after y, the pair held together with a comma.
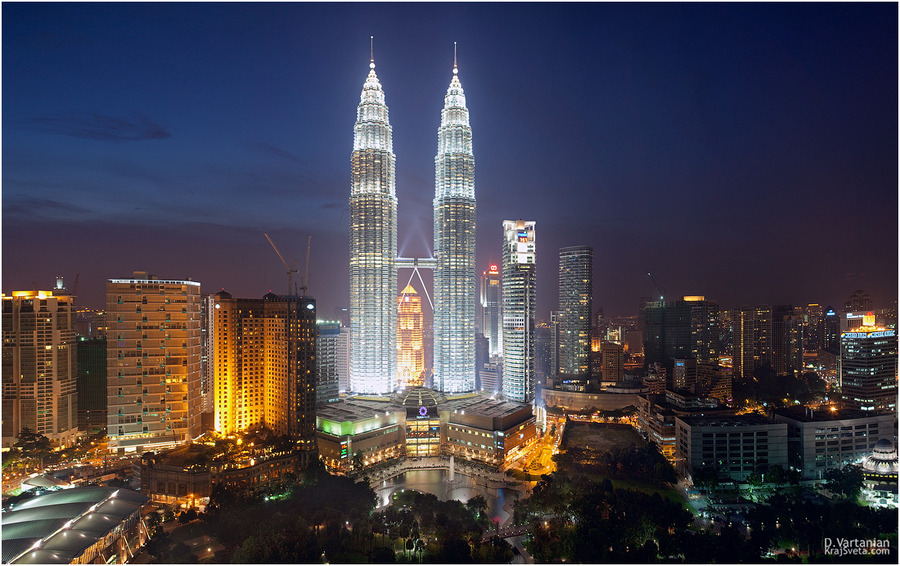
x: 60, y: 526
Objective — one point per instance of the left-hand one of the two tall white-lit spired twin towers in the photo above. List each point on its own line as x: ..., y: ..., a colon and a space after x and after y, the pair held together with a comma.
x: 373, y: 246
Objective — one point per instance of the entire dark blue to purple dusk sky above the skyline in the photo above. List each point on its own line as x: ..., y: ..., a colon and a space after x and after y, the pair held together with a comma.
x: 746, y: 152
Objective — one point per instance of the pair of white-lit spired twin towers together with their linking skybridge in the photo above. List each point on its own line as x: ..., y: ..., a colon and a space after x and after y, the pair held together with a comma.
x: 373, y: 245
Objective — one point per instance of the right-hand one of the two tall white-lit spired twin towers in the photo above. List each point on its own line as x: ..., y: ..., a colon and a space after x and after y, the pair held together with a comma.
x: 454, y: 246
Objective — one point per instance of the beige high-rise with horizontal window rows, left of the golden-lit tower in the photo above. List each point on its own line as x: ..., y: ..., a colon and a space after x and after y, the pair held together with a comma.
x: 153, y: 362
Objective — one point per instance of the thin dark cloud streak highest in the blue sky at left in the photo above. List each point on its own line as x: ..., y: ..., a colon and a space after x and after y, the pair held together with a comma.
x: 89, y: 125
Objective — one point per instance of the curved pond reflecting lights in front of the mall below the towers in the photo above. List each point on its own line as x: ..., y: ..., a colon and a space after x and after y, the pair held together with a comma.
x: 462, y: 488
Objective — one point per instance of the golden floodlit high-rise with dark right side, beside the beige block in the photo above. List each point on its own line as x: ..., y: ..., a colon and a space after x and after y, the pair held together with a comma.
x: 265, y: 352
